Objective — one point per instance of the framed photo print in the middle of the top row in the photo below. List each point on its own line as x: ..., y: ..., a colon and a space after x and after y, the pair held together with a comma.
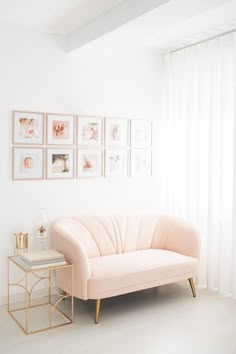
x: 90, y: 131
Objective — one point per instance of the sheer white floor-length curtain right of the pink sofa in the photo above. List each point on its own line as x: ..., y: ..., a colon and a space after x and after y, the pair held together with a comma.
x: 196, y: 152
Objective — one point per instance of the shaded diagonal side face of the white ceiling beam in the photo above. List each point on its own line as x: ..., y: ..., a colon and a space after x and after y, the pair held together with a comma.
x: 110, y: 20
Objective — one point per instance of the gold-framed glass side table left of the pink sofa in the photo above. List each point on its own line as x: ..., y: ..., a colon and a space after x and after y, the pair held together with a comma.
x: 41, y: 304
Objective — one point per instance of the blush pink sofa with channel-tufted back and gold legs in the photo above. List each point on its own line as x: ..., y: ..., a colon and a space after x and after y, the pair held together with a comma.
x: 114, y: 255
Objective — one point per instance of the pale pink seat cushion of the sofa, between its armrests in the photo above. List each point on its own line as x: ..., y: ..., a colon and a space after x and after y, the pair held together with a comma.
x: 127, y: 272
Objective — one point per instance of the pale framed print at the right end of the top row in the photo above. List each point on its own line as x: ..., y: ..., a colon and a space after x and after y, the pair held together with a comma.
x: 141, y: 133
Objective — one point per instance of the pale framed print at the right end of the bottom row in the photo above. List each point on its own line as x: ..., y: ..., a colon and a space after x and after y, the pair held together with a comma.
x: 141, y: 163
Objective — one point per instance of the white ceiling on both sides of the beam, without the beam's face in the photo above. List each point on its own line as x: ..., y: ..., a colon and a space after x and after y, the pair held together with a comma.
x: 170, y: 26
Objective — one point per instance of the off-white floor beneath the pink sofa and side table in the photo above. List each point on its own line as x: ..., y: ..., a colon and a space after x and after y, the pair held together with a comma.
x: 165, y: 320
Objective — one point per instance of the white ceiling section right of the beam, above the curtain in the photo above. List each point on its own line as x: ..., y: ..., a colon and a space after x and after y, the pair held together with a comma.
x: 176, y: 24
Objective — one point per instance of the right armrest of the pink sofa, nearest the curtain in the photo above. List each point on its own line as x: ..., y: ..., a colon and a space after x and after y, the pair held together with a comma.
x: 177, y: 236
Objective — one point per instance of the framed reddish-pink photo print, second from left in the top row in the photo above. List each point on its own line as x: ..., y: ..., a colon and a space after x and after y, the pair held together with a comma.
x: 60, y: 129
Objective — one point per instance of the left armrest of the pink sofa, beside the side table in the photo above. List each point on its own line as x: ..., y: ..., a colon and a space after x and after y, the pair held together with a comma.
x: 65, y: 242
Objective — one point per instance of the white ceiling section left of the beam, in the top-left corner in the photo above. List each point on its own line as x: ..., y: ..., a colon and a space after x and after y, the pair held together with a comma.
x: 53, y: 16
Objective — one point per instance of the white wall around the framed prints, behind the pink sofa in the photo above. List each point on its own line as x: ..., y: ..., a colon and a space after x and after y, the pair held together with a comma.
x: 37, y: 75
